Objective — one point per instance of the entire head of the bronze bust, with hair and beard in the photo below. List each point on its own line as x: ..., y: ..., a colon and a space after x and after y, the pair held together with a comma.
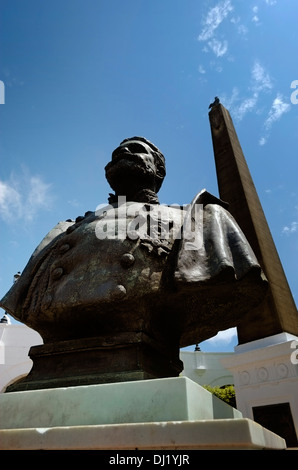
x: 136, y: 165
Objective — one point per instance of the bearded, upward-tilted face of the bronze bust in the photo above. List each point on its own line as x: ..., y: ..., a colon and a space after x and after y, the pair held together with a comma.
x: 132, y: 168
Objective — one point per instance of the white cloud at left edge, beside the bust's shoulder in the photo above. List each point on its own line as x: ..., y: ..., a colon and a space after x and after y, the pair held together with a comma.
x: 22, y: 197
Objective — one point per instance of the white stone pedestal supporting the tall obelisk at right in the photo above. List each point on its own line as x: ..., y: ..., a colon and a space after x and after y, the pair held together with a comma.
x: 266, y: 383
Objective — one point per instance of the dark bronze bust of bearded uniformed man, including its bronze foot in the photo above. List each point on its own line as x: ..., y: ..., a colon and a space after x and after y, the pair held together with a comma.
x: 119, y: 307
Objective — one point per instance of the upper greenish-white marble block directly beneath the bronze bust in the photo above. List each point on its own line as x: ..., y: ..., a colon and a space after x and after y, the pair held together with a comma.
x: 170, y: 399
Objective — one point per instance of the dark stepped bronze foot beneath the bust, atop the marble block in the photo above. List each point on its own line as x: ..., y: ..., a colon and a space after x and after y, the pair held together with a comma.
x: 119, y: 358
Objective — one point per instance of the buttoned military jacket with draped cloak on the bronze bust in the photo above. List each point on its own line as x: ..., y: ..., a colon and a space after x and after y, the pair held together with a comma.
x: 118, y: 268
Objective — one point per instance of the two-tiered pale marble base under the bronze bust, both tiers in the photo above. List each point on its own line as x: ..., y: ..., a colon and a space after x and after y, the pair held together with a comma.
x: 174, y: 413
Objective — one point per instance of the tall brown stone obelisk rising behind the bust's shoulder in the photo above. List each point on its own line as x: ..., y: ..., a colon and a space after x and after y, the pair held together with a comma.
x: 278, y: 313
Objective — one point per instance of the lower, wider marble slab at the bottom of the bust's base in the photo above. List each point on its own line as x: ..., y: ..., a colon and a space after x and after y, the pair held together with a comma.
x: 218, y: 434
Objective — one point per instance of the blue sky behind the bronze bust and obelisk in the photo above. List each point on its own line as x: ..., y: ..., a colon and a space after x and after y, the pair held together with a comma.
x: 82, y: 75
